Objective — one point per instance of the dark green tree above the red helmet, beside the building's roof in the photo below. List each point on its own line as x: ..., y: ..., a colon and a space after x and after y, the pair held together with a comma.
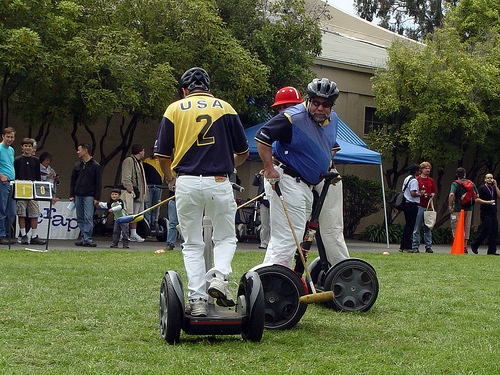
x: 286, y: 38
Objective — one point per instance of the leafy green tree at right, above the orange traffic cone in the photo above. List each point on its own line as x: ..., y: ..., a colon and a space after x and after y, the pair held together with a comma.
x: 440, y: 101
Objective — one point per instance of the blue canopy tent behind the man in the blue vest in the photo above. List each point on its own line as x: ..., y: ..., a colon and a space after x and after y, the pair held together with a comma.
x: 352, y: 151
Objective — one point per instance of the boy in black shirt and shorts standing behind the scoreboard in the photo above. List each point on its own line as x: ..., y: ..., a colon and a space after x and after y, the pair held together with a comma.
x: 27, y: 168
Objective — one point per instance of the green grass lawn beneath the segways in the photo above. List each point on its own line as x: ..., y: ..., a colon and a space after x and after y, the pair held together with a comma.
x: 69, y: 312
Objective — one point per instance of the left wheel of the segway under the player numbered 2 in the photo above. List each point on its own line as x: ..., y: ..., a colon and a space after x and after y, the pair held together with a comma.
x: 171, y: 313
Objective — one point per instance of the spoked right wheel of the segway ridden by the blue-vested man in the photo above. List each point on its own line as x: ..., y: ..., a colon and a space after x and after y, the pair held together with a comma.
x: 354, y: 284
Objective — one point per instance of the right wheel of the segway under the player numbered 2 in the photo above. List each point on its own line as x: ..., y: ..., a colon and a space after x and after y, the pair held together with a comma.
x: 251, y: 290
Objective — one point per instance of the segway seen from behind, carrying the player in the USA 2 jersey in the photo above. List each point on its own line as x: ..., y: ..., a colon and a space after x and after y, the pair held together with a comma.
x: 247, y: 318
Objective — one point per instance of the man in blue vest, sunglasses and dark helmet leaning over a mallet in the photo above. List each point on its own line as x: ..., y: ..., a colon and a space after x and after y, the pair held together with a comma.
x: 296, y: 148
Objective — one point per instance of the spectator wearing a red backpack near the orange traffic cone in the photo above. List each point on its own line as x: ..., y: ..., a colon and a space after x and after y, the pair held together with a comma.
x: 455, y: 205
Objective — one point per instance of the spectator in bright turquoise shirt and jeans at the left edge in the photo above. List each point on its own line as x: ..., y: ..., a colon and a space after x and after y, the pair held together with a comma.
x: 7, y: 174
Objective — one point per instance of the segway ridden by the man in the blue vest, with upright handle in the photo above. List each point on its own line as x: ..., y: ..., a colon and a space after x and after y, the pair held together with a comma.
x: 353, y: 283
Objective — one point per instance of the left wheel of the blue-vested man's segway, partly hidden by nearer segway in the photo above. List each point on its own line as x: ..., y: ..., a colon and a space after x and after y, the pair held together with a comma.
x: 282, y: 291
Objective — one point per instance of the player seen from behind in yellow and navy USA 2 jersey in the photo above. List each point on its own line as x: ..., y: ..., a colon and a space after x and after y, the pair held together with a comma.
x: 201, y: 139
